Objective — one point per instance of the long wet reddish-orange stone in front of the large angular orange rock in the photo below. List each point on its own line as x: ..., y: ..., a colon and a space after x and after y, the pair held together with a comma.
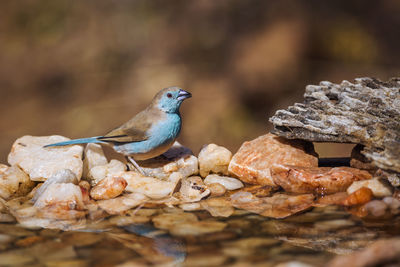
x: 321, y: 180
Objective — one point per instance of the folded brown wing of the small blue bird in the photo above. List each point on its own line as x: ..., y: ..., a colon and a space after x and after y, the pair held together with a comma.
x: 135, y: 130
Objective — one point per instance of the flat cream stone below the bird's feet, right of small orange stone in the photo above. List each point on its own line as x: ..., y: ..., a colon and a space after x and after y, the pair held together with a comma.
x: 152, y: 187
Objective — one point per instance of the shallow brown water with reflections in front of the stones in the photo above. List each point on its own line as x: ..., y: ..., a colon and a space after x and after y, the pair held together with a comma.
x: 313, y: 237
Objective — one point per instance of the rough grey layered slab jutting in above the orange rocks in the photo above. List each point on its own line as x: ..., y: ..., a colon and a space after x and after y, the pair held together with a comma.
x: 364, y: 112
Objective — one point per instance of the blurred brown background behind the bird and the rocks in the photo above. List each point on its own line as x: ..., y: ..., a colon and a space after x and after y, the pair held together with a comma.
x: 80, y: 68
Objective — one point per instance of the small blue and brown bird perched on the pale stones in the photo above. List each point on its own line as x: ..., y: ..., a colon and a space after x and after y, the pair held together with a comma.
x: 149, y: 133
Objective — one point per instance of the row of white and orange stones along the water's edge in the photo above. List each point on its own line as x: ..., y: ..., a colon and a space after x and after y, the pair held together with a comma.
x: 270, y: 176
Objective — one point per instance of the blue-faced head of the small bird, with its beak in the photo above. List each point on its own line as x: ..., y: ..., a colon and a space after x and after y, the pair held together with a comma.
x: 170, y: 99
